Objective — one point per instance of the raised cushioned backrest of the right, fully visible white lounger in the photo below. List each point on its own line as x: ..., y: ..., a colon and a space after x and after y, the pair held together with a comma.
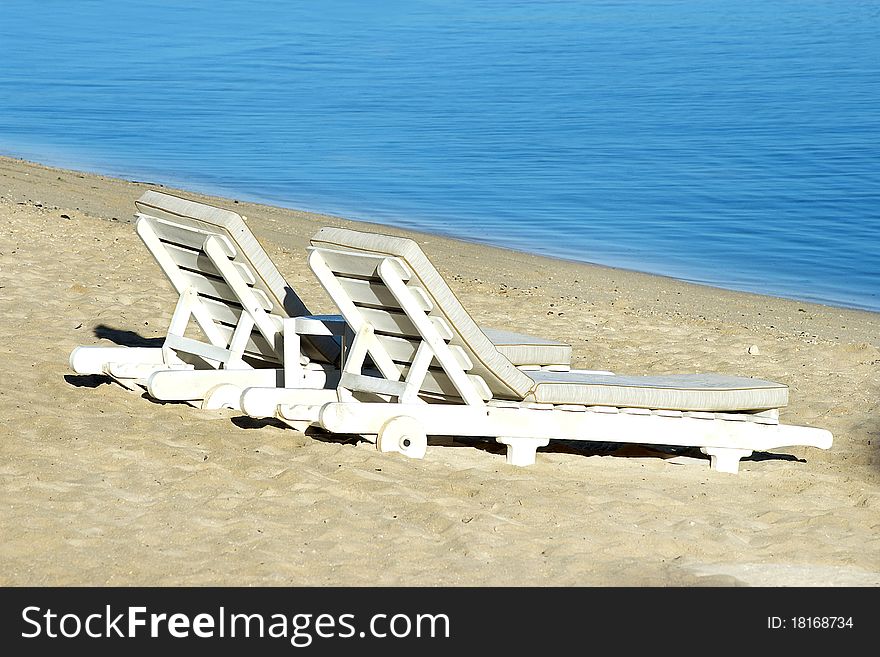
x: 493, y: 375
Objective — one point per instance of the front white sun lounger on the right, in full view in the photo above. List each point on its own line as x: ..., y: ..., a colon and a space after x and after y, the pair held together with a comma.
x: 431, y: 370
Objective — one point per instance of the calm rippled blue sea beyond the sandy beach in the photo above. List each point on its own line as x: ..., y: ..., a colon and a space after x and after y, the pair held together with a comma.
x: 735, y: 144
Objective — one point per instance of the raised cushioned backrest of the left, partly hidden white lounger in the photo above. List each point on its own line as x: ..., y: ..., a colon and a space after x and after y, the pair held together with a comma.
x: 182, y: 227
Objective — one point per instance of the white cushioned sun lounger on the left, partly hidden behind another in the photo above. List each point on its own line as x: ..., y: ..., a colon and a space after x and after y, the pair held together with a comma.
x: 234, y: 310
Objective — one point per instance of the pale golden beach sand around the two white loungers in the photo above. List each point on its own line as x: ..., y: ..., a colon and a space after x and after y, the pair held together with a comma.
x: 102, y: 486
